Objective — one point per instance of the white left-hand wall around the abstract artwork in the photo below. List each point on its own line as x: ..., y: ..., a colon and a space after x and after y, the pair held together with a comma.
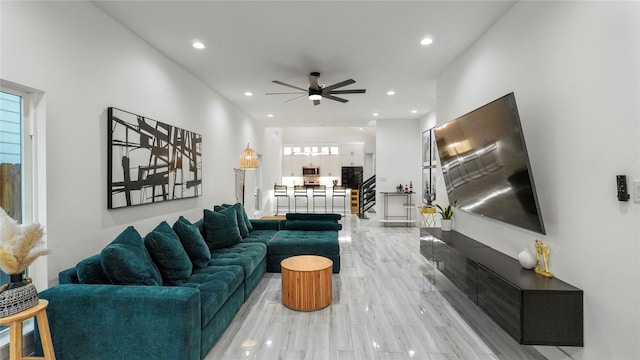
x: 85, y: 62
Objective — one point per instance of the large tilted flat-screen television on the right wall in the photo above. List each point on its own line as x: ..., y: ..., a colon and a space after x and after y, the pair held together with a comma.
x: 485, y: 165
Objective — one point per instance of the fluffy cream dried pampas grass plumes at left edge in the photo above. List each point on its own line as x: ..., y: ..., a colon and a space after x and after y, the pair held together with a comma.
x: 20, y: 245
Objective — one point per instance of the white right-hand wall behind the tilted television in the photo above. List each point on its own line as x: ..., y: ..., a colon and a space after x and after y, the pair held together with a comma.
x: 575, y: 71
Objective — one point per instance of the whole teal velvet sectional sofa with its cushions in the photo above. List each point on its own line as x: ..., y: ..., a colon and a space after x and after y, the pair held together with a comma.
x: 172, y: 293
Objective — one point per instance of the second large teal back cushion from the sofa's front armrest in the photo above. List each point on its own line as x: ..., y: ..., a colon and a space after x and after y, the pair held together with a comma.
x: 167, y: 252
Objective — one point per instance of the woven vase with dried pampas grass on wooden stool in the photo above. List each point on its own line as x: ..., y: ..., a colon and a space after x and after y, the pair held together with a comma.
x: 20, y: 245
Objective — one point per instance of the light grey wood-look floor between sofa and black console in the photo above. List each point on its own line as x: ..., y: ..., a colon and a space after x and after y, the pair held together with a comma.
x: 385, y: 306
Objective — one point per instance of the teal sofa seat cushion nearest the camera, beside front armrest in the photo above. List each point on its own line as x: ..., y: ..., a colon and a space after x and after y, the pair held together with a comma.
x: 216, y: 284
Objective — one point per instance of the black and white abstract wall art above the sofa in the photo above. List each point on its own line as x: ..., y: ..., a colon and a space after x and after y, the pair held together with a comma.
x: 150, y: 161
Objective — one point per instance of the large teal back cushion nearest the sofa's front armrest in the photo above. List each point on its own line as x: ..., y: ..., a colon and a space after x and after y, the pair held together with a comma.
x: 127, y: 262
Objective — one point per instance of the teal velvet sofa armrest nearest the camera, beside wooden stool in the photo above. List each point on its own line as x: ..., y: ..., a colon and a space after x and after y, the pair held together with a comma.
x: 123, y: 322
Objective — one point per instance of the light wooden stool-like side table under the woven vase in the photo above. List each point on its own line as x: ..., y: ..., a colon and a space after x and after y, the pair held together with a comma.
x: 15, y: 332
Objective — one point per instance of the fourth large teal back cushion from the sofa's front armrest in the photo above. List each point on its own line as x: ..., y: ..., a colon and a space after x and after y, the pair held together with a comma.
x: 221, y: 228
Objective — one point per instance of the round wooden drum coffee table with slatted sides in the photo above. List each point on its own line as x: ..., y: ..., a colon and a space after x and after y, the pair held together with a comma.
x: 306, y: 282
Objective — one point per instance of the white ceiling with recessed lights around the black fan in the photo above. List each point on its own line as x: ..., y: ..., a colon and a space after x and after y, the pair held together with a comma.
x: 376, y: 43
